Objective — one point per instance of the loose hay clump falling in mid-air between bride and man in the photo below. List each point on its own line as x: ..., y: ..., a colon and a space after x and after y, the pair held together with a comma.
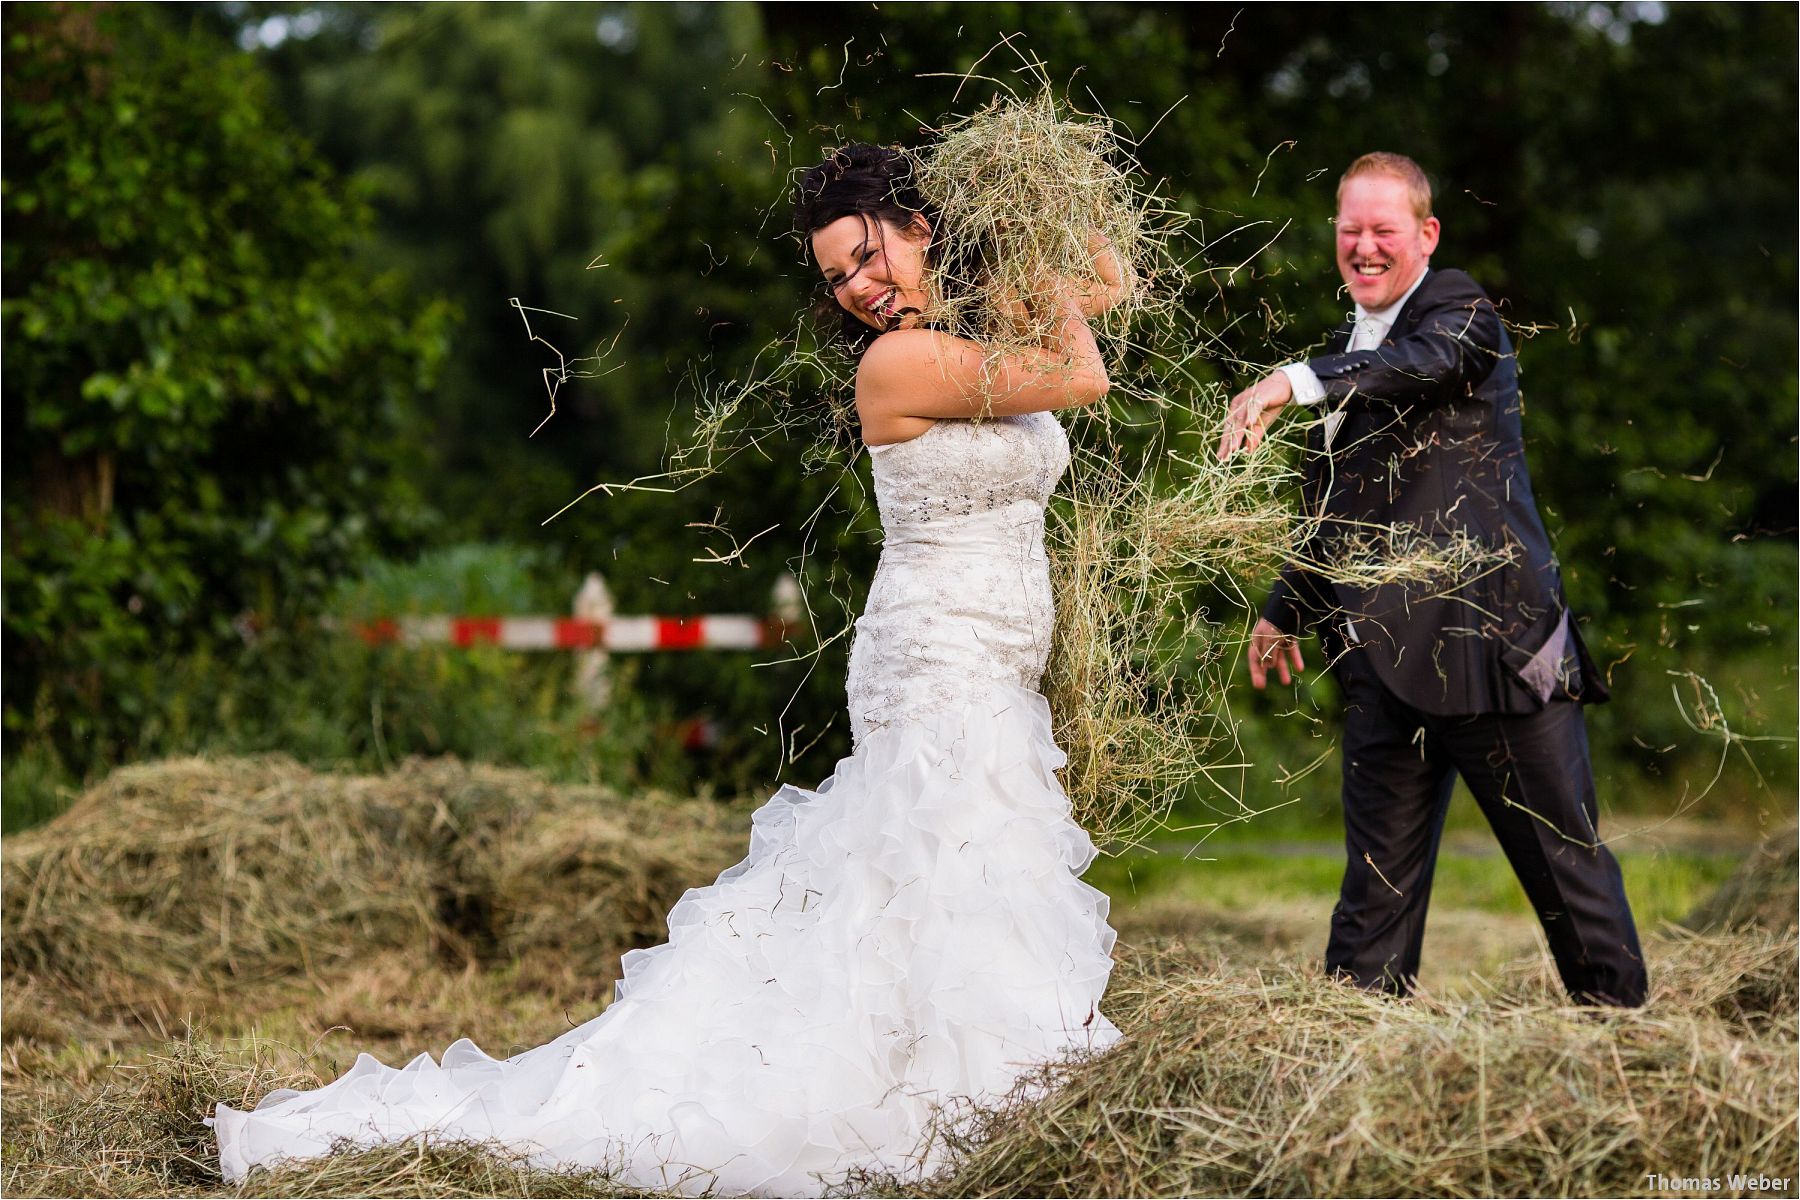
x: 1138, y: 667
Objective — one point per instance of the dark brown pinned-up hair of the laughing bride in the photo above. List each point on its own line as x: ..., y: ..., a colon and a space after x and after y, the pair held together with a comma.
x: 874, y: 183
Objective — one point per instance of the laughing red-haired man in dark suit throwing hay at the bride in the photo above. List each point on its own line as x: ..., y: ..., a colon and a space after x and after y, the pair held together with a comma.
x: 1419, y: 429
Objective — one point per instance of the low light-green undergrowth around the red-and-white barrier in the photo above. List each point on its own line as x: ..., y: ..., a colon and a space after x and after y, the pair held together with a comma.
x: 330, y: 701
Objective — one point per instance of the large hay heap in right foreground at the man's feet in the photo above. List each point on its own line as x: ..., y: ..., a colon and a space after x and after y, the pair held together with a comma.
x: 1284, y: 1084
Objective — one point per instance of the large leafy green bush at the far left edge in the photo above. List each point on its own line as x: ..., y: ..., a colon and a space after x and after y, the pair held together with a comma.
x: 206, y: 395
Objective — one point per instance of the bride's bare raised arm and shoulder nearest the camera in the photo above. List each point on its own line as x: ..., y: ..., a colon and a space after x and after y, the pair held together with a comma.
x: 915, y: 377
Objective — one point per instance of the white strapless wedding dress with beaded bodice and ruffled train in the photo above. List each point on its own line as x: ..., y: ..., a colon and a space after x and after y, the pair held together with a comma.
x: 908, y: 936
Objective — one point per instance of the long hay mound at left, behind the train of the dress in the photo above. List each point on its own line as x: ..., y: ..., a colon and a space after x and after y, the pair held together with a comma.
x: 168, y: 888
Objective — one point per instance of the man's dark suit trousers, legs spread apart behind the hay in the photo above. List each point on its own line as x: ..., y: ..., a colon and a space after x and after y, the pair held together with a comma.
x: 1534, y: 785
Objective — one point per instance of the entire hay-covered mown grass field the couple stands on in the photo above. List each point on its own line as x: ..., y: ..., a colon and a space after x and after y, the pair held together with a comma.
x: 163, y: 954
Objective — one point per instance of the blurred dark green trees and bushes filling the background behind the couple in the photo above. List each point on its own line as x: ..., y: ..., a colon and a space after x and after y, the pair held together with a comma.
x: 262, y: 256
